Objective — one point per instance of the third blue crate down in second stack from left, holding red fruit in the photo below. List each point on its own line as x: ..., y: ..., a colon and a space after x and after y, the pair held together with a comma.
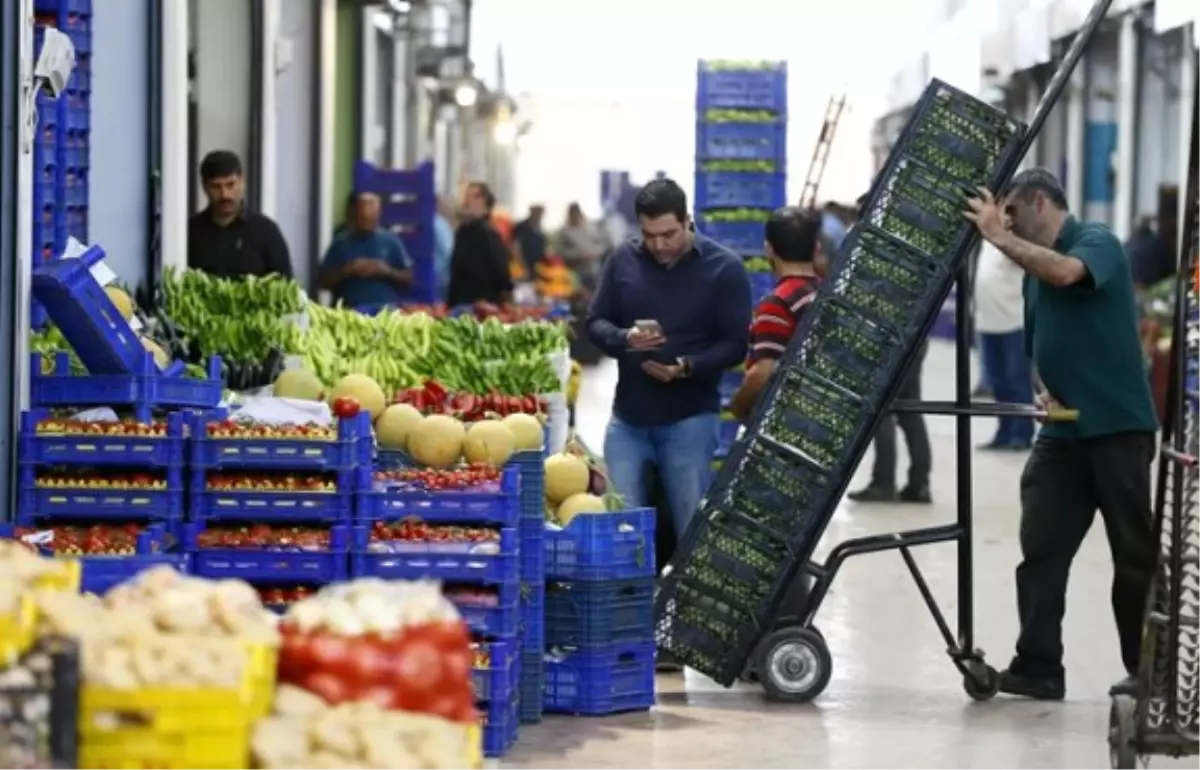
x: 261, y: 552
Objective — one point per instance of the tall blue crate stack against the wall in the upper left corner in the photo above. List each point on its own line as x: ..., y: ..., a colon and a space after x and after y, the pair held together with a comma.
x: 62, y: 148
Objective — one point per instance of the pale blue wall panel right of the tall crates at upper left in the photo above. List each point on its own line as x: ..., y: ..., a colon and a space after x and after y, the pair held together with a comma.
x: 121, y: 175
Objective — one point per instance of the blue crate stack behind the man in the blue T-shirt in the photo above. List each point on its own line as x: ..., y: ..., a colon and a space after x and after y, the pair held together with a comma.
x: 410, y: 206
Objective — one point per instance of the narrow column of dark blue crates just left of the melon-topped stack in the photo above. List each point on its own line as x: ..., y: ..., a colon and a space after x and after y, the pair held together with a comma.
x: 532, y: 467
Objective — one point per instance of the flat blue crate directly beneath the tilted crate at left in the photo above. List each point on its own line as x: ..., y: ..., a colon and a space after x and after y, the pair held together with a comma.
x: 143, y: 393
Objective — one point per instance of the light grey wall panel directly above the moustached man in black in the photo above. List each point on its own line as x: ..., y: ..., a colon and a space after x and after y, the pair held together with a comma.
x: 221, y: 34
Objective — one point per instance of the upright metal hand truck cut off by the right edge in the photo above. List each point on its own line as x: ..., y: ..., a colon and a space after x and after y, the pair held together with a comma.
x: 1163, y: 717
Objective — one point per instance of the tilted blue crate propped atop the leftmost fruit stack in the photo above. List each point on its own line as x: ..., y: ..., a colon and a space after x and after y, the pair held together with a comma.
x: 88, y: 320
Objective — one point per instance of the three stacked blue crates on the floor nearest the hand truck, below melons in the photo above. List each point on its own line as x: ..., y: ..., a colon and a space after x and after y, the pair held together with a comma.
x: 601, y: 615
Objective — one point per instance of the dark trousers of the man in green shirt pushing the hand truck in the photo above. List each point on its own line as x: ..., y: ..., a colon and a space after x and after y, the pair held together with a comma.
x: 1064, y: 484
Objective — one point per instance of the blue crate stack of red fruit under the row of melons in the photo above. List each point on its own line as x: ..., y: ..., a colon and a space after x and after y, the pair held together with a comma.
x: 483, y: 580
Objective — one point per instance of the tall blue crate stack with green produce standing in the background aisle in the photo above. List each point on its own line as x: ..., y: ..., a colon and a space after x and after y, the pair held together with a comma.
x: 741, y: 170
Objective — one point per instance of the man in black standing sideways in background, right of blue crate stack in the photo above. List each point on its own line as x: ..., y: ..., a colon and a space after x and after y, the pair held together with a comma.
x: 479, y: 264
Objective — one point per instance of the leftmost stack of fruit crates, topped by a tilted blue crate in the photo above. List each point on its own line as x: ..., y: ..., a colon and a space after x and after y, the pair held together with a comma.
x: 103, y: 452
